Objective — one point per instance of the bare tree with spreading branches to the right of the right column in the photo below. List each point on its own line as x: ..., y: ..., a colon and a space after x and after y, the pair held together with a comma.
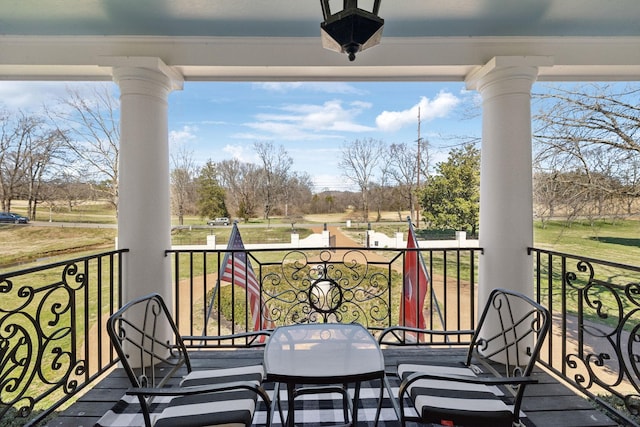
x: 590, y: 134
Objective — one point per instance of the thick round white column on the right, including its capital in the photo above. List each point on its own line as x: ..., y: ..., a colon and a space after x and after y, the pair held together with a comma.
x: 506, y: 189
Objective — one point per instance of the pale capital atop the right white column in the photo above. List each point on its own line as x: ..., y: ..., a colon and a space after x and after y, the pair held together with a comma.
x: 500, y: 68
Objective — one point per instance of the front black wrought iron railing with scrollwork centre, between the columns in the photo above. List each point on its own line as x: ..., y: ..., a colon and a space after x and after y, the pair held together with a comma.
x: 319, y: 285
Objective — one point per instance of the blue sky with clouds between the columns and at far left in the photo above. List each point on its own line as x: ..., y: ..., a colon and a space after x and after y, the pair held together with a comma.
x: 313, y: 121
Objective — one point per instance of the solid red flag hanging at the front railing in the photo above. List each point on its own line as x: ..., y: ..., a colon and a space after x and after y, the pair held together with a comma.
x: 415, y: 285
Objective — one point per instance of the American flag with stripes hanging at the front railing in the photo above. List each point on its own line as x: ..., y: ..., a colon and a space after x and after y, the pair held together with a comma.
x: 237, y: 270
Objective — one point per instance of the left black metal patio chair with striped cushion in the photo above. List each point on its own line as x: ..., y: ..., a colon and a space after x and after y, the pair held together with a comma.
x: 206, y: 397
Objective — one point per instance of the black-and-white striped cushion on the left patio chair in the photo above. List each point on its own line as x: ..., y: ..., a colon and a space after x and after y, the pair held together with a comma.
x: 230, y: 408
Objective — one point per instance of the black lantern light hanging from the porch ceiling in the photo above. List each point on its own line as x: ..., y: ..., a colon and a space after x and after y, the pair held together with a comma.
x: 351, y: 30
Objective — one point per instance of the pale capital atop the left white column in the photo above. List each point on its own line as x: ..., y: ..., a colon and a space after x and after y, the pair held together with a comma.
x: 148, y: 67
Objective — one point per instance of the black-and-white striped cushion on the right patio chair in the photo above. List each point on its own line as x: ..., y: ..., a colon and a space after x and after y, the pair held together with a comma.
x: 456, y: 403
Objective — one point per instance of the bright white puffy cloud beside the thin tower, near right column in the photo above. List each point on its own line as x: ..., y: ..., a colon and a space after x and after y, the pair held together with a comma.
x: 439, y: 107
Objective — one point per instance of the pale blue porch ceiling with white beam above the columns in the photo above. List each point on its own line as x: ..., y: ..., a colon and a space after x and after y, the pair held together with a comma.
x: 279, y: 39
